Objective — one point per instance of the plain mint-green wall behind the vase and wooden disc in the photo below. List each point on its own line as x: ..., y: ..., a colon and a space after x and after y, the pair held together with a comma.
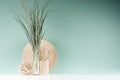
x: 86, y: 34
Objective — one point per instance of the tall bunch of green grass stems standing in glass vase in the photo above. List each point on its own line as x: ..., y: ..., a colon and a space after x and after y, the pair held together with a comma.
x: 32, y: 21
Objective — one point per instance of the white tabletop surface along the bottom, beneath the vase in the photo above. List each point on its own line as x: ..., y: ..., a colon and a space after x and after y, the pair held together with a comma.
x: 60, y: 77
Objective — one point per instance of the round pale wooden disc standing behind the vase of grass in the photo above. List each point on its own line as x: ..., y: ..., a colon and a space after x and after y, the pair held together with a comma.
x: 46, y: 47
